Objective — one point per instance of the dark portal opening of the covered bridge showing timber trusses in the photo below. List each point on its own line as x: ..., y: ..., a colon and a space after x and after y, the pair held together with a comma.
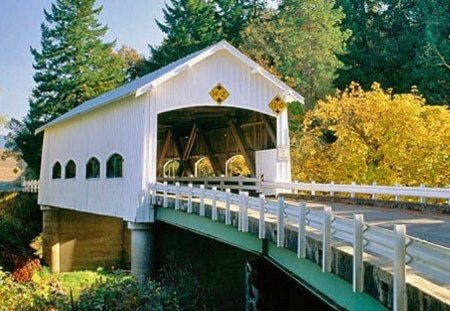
x: 210, y: 141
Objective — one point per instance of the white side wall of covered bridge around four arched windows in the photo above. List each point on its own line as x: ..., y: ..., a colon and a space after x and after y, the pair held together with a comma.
x: 114, y: 128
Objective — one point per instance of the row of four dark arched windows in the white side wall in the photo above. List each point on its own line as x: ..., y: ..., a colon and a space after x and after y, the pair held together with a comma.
x: 114, y: 168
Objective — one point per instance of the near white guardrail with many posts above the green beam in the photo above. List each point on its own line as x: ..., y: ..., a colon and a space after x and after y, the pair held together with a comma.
x: 429, y: 259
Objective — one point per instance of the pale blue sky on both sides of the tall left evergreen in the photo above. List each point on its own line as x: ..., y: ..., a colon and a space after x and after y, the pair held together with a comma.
x: 131, y: 23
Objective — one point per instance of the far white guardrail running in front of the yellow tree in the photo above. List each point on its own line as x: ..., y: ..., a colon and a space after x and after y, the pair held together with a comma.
x: 421, y: 192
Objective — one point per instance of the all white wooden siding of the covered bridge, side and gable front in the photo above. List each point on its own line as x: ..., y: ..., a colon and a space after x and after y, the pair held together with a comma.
x: 129, y: 127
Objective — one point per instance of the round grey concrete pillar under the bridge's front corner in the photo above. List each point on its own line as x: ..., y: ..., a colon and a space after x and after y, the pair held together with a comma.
x: 142, y: 250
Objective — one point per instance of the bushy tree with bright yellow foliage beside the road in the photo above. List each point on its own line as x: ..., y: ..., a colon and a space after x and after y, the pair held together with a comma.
x: 374, y: 136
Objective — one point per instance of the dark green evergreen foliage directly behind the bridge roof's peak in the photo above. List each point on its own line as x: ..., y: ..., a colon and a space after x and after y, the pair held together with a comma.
x: 190, y: 25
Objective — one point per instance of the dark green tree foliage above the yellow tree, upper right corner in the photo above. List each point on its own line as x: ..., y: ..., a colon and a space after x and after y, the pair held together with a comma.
x: 398, y: 44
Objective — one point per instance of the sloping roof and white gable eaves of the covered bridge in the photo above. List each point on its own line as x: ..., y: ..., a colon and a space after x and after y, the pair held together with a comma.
x: 152, y: 80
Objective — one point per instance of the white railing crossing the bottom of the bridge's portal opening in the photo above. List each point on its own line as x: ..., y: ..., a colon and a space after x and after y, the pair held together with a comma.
x: 222, y: 183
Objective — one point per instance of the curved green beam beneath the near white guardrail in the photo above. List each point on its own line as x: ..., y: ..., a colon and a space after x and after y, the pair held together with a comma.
x: 327, y: 286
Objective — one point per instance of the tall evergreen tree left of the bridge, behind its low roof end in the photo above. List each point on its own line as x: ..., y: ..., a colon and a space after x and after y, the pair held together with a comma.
x: 72, y: 66
